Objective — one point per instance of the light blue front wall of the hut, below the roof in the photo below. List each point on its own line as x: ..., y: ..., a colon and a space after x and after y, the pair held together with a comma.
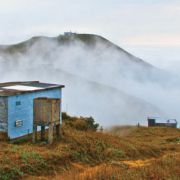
x: 24, y: 111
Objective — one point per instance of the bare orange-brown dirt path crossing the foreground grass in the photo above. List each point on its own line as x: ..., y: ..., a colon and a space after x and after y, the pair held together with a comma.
x: 79, y: 171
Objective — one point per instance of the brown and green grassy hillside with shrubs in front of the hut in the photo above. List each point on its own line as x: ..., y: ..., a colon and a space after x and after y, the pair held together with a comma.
x: 128, y: 152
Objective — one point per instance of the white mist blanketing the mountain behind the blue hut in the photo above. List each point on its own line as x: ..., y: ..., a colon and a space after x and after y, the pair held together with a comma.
x: 100, y: 79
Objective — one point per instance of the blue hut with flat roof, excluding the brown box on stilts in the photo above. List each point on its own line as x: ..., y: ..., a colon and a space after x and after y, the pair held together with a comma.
x: 16, y: 105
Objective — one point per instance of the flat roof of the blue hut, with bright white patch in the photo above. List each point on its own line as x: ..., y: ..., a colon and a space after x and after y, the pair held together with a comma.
x: 14, y: 88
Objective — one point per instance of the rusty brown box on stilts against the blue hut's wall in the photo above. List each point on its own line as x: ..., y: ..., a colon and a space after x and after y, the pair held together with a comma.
x: 46, y: 113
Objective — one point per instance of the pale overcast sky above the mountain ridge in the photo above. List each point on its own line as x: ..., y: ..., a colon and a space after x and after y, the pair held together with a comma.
x: 147, y: 28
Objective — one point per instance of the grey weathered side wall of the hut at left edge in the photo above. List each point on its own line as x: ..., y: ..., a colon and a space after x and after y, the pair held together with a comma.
x: 3, y: 114
